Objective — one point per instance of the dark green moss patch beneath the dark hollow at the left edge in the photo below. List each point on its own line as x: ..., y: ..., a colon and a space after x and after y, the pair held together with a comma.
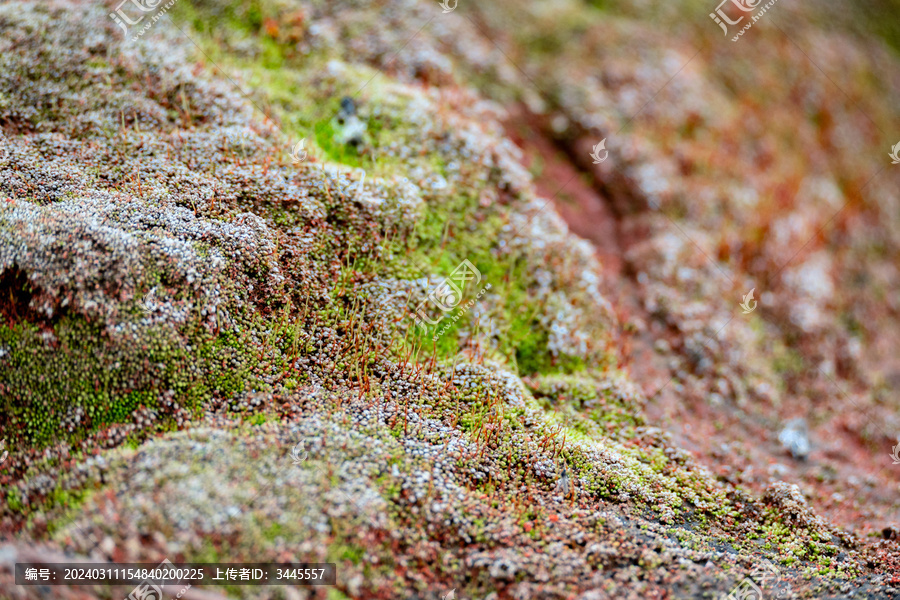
x: 85, y: 380
